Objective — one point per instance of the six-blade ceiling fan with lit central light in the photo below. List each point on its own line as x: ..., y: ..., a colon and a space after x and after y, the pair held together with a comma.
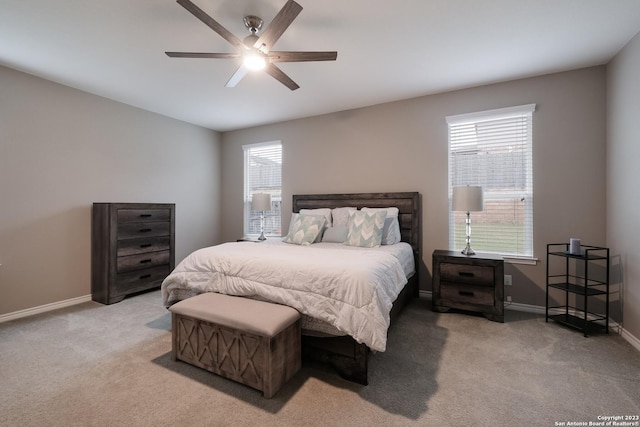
x: 254, y: 50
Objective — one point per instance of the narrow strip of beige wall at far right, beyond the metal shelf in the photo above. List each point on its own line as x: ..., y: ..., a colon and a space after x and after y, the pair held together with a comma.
x: 623, y: 194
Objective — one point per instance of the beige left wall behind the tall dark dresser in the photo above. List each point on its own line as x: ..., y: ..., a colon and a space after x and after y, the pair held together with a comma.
x: 62, y: 149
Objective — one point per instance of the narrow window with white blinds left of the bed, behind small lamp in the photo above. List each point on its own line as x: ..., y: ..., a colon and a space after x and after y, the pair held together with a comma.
x: 263, y: 174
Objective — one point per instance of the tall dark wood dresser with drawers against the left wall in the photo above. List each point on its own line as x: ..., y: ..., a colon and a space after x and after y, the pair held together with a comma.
x: 132, y: 248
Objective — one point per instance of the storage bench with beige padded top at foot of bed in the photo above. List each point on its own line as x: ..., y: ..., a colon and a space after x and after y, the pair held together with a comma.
x: 253, y: 342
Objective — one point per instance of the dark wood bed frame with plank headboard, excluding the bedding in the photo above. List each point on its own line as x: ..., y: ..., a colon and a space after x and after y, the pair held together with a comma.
x: 348, y: 357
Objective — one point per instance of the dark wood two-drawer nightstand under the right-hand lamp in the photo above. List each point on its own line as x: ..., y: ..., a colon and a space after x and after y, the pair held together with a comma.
x: 473, y: 283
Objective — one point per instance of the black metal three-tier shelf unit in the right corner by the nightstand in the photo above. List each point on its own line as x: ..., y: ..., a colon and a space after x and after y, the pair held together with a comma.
x: 582, y: 284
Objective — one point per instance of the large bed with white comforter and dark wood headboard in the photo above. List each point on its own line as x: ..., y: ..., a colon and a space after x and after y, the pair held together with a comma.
x: 348, y: 295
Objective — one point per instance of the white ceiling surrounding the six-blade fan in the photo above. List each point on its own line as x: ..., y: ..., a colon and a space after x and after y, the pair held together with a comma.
x: 387, y: 50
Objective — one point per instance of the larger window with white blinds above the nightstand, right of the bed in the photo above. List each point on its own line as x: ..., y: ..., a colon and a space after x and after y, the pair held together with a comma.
x: 493, y: 149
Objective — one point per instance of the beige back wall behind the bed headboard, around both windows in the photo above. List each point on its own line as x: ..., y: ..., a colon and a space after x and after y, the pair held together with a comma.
x: 402, y: 146
